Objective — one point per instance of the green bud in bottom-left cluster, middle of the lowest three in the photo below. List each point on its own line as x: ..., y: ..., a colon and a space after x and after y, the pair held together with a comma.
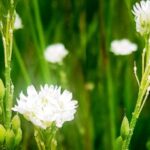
x: 9, y: 139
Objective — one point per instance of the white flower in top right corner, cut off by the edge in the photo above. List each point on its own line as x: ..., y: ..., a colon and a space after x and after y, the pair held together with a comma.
x: 142, y: 17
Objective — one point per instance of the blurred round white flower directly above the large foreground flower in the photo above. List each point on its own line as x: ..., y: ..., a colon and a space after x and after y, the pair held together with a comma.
x: 55, y: 53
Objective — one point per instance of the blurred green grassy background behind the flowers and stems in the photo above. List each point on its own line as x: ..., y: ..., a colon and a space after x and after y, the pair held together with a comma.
x: 103, y: 84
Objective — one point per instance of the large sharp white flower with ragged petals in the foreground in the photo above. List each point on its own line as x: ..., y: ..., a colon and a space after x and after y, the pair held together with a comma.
x: 46, y: 106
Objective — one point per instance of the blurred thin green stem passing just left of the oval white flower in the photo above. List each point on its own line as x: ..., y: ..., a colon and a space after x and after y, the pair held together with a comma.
x: 111, y: 91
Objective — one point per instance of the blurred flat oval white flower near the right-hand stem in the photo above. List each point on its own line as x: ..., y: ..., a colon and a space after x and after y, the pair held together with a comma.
x: 123, y: 47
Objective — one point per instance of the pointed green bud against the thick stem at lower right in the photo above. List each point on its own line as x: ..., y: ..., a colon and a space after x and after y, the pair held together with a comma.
x: 124, y: 128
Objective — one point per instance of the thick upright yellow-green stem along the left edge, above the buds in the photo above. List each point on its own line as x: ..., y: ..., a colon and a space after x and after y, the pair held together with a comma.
x: 7, y: 36
